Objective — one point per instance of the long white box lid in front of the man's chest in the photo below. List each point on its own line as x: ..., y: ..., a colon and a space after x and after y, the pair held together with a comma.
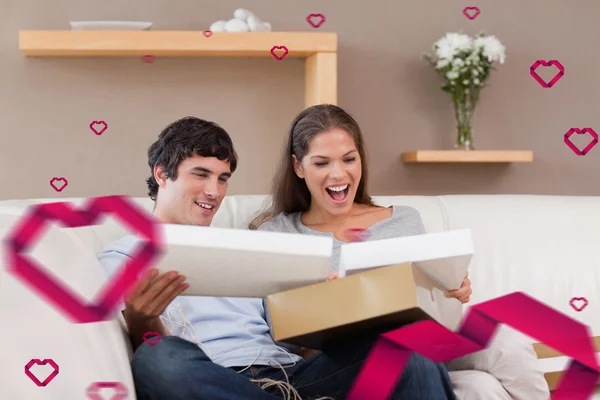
x: 224, y: 262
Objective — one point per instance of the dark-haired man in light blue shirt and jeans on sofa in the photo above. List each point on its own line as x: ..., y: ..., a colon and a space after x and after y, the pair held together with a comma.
x: 221, y: 348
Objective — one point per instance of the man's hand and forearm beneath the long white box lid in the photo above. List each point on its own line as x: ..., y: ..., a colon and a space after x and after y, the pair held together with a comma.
x: 148, y: 300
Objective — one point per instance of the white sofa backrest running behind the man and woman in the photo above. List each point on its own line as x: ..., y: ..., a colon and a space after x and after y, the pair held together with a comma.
x: 543, y: 245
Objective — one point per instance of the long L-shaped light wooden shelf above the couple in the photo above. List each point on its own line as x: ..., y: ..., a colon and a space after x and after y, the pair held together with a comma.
x: 318, y: 48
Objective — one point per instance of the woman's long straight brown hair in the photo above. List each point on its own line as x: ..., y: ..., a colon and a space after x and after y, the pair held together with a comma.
x: 289, y: 192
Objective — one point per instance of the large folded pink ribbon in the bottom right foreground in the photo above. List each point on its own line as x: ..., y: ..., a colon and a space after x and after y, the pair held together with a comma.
x: 385, y: 364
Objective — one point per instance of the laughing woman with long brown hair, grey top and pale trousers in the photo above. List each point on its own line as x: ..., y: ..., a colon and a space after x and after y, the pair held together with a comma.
x: 321, y: 189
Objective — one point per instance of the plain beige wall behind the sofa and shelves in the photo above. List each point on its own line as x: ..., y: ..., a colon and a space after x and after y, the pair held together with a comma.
x: 47, y: 104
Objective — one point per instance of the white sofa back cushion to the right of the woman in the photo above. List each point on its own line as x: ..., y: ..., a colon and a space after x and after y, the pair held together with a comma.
x: 542, y: 245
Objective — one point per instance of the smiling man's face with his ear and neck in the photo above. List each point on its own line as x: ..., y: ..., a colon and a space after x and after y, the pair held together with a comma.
x: 196, y: 195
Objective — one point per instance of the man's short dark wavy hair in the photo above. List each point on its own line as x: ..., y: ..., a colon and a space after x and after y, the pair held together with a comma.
x: 181, y: 140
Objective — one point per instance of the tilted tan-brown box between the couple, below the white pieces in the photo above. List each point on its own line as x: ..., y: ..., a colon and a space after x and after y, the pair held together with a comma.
x: 374, y: 301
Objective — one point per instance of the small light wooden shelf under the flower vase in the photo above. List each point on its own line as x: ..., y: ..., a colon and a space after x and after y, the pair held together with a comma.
x: 470, y: 156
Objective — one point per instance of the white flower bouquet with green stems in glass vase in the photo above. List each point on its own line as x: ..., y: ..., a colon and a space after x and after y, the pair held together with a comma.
x: 465, y: 64
